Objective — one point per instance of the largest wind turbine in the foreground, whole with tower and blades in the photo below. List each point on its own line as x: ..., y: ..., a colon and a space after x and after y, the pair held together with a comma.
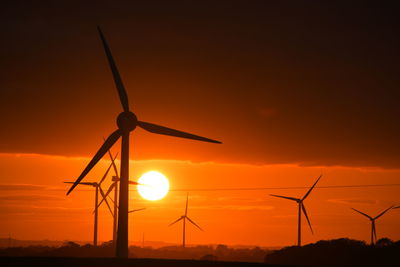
x: 127, y: 122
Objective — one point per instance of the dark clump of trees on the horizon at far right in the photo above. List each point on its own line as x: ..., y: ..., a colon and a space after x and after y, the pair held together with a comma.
x: 339, y: 252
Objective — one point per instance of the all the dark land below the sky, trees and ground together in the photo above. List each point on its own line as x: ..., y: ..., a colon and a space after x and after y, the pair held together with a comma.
x: 331, y: 253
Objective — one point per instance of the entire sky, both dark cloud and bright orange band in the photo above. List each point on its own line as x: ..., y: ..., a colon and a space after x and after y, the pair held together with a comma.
x: 291, y: 90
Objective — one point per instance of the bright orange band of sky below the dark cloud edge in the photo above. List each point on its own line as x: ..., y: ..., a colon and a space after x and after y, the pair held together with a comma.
x: 38, y: 208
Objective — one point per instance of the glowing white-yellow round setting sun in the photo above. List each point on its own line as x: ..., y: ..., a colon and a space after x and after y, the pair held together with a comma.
x: 153, y: 185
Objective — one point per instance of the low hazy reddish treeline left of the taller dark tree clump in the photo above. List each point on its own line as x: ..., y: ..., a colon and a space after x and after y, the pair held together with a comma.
x: 210, y: 253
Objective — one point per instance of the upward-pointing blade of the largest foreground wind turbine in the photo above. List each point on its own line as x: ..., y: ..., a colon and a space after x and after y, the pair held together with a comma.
x: 123, y: 97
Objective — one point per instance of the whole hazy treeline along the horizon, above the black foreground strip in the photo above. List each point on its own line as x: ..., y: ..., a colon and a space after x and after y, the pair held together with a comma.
x: 338, y: 252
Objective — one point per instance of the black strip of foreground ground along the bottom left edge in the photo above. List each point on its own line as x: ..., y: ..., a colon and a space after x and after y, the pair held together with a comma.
x: 111, y: 262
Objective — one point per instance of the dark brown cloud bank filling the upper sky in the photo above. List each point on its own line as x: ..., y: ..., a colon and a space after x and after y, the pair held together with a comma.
x: 278, y: 82
